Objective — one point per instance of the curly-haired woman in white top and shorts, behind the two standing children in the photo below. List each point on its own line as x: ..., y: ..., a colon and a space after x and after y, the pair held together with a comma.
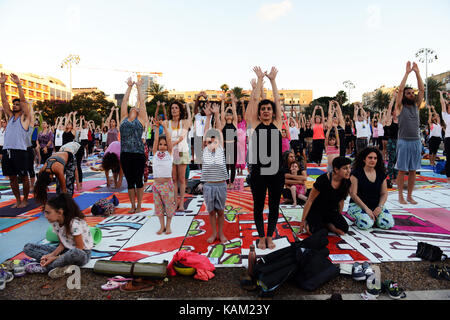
x: 178, y: 126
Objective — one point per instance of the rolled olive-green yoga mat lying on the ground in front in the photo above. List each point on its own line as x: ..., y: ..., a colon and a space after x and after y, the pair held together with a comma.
x: 133, y: 269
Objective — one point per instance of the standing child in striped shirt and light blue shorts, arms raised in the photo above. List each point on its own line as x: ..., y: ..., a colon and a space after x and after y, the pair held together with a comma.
x: 214, y: 174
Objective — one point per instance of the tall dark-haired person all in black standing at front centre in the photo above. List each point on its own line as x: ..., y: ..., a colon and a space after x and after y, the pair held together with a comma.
x: 265, y: 156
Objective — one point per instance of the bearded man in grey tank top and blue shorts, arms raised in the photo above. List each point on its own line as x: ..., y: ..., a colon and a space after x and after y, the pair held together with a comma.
x: 409, y: 147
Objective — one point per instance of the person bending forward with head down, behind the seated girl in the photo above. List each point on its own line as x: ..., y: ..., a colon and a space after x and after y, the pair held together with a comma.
x: 63, y: 166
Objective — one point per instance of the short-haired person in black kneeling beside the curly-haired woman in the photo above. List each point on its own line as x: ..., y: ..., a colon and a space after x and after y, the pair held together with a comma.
x: 326, y: 200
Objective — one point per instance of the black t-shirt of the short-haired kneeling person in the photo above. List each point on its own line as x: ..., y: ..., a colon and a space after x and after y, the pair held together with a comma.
x: 328, y: 198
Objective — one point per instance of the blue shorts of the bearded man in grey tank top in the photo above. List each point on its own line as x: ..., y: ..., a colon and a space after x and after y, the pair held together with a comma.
x: 409, y: 155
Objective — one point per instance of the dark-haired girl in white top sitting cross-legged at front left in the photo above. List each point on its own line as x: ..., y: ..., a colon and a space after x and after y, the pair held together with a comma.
x: 75, y: 239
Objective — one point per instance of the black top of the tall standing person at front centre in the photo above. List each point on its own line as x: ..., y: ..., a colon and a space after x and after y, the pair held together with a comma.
x: 268, y: 130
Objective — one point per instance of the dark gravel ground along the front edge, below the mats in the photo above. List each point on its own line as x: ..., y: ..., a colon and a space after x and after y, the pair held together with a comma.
x: 411, y: 276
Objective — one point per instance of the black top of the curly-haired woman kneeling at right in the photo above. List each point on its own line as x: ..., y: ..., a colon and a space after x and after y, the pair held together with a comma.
x: 369, y: 192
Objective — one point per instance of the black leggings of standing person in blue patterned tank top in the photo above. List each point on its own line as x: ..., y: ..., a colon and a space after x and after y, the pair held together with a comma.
x: 133, y: 165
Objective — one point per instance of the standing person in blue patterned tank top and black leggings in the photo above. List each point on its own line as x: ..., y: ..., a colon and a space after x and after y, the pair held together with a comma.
x: 132, y: 150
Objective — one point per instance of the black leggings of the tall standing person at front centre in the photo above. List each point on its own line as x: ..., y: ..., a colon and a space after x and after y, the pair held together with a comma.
x: 259, y: 185
